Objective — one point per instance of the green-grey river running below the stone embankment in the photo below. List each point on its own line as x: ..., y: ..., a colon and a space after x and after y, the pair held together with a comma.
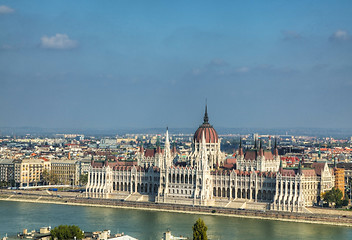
x: 14, y: 216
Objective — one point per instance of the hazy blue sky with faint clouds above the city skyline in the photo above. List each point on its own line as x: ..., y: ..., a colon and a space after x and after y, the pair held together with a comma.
x: 141, y: 64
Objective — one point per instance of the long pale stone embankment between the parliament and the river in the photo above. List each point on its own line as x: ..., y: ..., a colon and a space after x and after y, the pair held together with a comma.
x: 333, y: 218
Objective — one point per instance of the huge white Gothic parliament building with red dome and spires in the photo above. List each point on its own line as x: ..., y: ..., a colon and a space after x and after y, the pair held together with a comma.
x: 258, y: 181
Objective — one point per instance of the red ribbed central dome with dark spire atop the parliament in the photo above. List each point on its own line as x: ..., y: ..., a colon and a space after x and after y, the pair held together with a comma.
x: 210, y: 134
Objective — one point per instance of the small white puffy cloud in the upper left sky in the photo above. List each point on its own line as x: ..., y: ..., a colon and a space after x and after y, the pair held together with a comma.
x: 59, y: 41
